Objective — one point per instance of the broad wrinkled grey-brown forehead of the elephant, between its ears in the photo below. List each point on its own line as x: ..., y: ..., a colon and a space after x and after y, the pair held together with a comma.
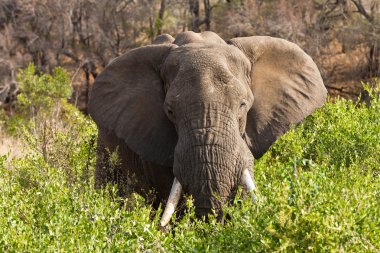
x: 207, y: 70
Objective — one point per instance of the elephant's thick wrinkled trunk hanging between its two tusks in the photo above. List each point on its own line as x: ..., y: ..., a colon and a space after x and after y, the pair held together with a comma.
x: 210, y: 157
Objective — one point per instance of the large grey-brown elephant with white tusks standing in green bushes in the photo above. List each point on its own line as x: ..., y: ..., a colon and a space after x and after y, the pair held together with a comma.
x: 188, y: 115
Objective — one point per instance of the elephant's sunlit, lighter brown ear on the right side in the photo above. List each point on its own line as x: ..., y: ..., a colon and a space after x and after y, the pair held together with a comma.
x: 286, y: 85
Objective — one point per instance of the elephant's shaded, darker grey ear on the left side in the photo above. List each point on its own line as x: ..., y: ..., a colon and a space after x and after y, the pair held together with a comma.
x: 127, y: 98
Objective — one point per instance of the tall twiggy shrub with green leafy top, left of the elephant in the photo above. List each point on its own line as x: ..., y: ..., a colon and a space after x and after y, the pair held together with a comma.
x: 50, y: 127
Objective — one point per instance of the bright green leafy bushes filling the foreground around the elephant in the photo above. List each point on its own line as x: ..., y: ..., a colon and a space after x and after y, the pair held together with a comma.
x: 319, y: 187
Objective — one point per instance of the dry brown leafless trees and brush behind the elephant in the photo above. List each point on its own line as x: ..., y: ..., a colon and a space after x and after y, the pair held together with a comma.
x: 342, y: 36
